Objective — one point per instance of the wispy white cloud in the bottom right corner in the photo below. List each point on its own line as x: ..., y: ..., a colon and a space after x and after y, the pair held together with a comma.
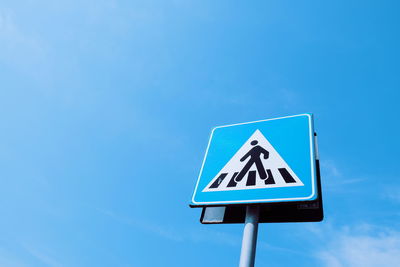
x: 363, y: 245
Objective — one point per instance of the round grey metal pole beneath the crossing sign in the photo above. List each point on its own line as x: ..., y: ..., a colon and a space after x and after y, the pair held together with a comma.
x: 249, y: 242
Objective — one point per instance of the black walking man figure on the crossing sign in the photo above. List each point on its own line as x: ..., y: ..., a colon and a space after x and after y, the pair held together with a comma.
x: 255, y: 158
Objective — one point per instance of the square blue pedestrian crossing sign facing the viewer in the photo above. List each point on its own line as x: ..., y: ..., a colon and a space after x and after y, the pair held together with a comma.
x: 259, y: 162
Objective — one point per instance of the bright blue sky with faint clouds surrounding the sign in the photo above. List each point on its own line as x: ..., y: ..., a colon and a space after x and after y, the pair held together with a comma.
x: 106, y: 108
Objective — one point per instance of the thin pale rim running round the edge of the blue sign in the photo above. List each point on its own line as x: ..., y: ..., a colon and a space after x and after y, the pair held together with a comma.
x: 313, y: 195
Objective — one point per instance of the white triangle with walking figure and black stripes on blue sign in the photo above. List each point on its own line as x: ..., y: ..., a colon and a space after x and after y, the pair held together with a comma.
x: 245, y: 169
